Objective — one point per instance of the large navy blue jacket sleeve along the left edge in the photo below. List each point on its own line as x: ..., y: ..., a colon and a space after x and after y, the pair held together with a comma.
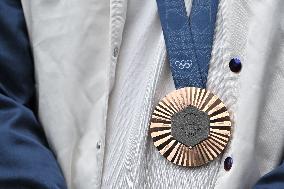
x: 25, y: 160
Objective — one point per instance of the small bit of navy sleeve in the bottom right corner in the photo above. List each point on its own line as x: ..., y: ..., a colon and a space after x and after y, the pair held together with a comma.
x: 272, y: 180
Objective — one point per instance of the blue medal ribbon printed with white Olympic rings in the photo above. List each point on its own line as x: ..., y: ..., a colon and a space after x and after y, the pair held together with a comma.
x: 188, y: 39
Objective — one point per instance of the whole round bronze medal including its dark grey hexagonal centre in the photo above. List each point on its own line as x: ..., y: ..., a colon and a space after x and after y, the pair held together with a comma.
x: 190, y: 126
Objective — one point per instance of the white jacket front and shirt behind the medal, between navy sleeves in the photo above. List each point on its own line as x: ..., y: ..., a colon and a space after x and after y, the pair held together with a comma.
x: 100, y: 70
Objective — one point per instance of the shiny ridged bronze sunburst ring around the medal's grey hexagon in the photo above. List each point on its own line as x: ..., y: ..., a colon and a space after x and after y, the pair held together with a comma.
x: 206, y: 150
